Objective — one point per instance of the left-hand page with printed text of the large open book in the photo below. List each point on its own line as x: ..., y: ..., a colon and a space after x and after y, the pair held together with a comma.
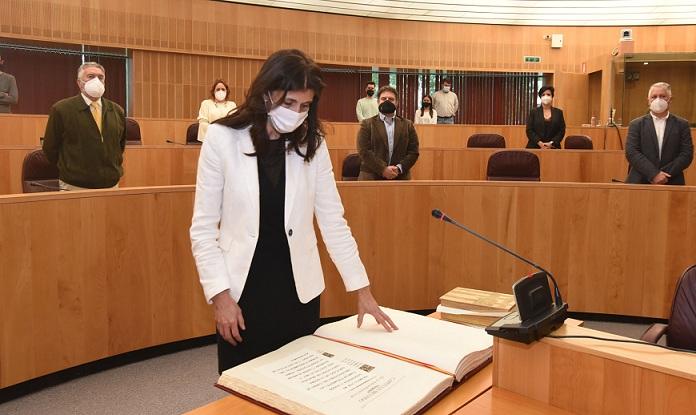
x: 312, y: 375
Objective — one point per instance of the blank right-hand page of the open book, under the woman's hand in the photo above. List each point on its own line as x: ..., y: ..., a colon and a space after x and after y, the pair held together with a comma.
x: 424, y: 339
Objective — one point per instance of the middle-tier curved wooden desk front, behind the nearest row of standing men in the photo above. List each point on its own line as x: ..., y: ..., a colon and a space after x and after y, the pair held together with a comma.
x: 165, y: 165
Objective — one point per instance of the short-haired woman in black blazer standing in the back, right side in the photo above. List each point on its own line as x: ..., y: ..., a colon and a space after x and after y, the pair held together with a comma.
x: 545, y: 124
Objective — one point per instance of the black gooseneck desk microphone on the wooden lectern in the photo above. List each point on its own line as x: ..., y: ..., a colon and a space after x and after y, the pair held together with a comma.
x: 536, y: 316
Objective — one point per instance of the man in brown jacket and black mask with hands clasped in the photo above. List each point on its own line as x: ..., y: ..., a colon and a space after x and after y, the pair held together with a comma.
x: 387, y: 144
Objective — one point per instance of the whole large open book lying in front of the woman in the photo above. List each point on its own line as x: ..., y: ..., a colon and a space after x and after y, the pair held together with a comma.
x: 345, y: 370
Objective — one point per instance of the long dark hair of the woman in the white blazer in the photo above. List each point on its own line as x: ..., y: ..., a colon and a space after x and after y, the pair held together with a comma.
x: 285, y: 70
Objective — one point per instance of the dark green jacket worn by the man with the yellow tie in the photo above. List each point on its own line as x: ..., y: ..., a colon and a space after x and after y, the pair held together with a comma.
x: 83, y: 156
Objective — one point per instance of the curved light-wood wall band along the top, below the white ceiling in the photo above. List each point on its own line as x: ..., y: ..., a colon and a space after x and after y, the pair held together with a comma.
x: 253, y: 32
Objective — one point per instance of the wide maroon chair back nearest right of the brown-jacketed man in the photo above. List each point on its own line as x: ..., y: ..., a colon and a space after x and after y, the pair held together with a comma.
x: 513, y: 165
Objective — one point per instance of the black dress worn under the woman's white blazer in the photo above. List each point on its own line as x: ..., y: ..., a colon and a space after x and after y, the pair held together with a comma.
x: 273, y: 314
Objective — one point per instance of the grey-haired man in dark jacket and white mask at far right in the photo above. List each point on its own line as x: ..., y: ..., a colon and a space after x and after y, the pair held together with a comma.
x: 659, y: 145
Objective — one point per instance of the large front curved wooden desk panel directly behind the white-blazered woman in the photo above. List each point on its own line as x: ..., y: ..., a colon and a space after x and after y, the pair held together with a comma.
x: 88, y: 275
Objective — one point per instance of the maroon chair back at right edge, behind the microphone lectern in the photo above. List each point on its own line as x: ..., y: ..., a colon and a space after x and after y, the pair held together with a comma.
x: 681, y: 331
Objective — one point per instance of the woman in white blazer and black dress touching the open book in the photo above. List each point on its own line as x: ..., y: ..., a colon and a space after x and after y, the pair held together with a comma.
x: 264, y: 174
